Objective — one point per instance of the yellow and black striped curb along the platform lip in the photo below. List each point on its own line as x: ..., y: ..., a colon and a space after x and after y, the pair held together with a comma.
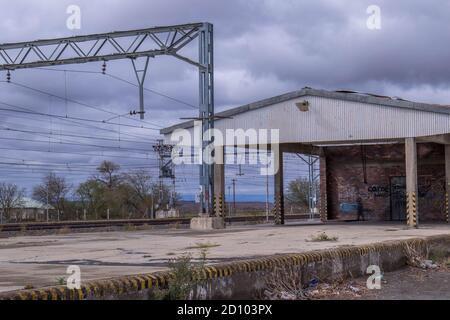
x: 135, y: 283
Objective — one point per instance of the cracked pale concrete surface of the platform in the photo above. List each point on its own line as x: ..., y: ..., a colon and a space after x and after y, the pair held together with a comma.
x: 40, y: 260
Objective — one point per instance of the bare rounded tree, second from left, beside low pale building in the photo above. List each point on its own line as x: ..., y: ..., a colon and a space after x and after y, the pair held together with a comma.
x: 53, y: 189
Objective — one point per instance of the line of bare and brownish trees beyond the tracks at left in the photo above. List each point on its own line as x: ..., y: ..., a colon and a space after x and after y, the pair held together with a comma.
x: 110, y: 192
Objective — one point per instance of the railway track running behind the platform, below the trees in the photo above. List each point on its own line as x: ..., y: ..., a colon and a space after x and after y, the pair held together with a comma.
x: 73, y: 225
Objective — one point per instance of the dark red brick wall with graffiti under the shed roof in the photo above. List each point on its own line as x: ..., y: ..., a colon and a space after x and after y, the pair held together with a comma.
x: 346, y: 180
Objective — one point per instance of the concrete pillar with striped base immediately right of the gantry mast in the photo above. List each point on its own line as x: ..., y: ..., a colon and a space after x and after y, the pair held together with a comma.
x: 219, y: 183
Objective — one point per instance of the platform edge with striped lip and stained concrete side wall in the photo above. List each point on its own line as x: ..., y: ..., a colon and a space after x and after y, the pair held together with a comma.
x: 245, y: 278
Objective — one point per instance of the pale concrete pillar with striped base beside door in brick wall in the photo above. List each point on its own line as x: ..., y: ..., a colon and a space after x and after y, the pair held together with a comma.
x: 411, y: 183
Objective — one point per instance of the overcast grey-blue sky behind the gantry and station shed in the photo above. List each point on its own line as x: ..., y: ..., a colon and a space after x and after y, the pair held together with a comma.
x: 262, y: 49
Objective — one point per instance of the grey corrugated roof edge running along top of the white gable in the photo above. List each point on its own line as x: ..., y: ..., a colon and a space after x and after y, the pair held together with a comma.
x: 342, y: 95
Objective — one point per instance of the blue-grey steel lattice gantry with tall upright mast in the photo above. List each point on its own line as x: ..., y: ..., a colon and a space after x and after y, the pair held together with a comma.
x: 132, y: 44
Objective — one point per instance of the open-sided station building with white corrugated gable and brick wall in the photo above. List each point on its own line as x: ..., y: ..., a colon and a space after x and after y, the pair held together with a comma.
x: 388, y: 155
